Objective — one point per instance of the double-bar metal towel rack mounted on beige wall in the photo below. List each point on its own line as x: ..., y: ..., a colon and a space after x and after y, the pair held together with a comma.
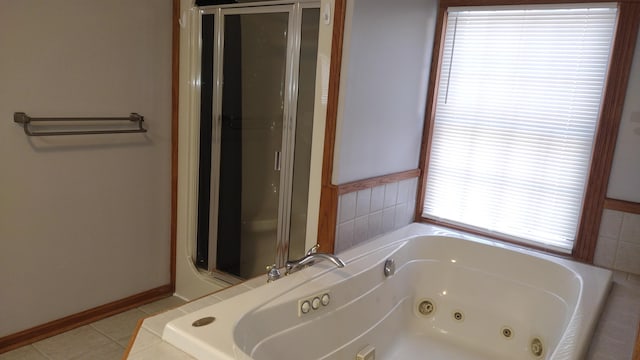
x: 26, y: 120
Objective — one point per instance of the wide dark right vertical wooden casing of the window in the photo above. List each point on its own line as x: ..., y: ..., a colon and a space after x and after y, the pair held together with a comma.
x: 607, y: 132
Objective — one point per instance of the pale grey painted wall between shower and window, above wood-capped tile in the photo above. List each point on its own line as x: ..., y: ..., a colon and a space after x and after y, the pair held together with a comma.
x: 385, y: 69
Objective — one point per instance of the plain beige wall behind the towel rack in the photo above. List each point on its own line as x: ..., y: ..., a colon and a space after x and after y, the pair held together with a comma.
x: 84, y: 220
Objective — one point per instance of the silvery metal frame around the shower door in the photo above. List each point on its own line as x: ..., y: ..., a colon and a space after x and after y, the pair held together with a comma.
x: 294, y: 9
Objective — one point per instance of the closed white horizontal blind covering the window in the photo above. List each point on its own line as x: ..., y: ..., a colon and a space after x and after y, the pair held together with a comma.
x: 516, y: 112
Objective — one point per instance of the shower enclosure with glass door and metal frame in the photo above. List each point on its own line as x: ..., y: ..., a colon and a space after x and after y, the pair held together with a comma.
x: 257, y: 92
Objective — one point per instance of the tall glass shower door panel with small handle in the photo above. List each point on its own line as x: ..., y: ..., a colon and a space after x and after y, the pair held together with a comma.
x: 253, y: 109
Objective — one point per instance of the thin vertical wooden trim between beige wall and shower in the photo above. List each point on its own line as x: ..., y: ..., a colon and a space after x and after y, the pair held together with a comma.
x: 175, y: 85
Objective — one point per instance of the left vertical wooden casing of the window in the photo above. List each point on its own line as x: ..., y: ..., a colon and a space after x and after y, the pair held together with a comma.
x: 429, y: 114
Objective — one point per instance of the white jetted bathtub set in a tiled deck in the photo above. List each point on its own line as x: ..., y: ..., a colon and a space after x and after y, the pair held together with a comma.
x: 450, y: 296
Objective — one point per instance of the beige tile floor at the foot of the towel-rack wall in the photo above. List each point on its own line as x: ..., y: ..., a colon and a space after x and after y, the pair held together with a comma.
x: 106, y: 339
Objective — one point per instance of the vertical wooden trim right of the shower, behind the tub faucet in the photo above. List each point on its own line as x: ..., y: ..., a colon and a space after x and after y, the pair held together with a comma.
x: 329, y: 192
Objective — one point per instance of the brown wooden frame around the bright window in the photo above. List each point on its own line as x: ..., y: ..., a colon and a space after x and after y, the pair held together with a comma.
x: 616, y: 81
